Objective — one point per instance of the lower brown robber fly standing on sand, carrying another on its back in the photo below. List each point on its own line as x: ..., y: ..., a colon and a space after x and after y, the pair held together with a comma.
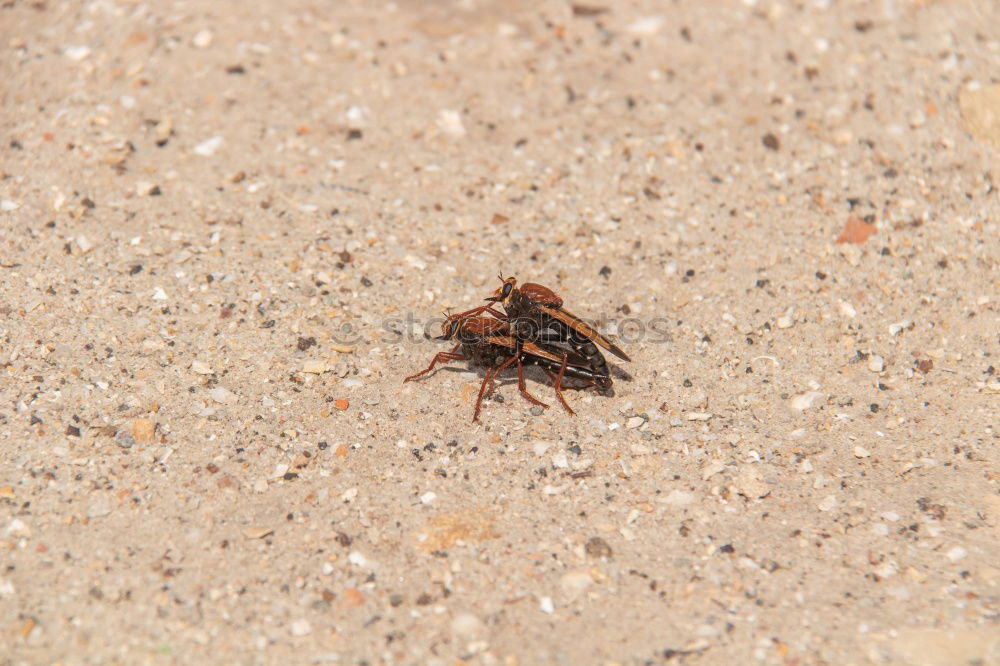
x: 489, y: 343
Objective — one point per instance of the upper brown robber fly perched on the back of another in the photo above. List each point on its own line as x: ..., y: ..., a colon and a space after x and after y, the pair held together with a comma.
x: 536, y: 313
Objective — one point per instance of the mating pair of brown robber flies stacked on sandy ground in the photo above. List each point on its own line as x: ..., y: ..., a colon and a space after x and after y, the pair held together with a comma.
x: 534, y: 330
